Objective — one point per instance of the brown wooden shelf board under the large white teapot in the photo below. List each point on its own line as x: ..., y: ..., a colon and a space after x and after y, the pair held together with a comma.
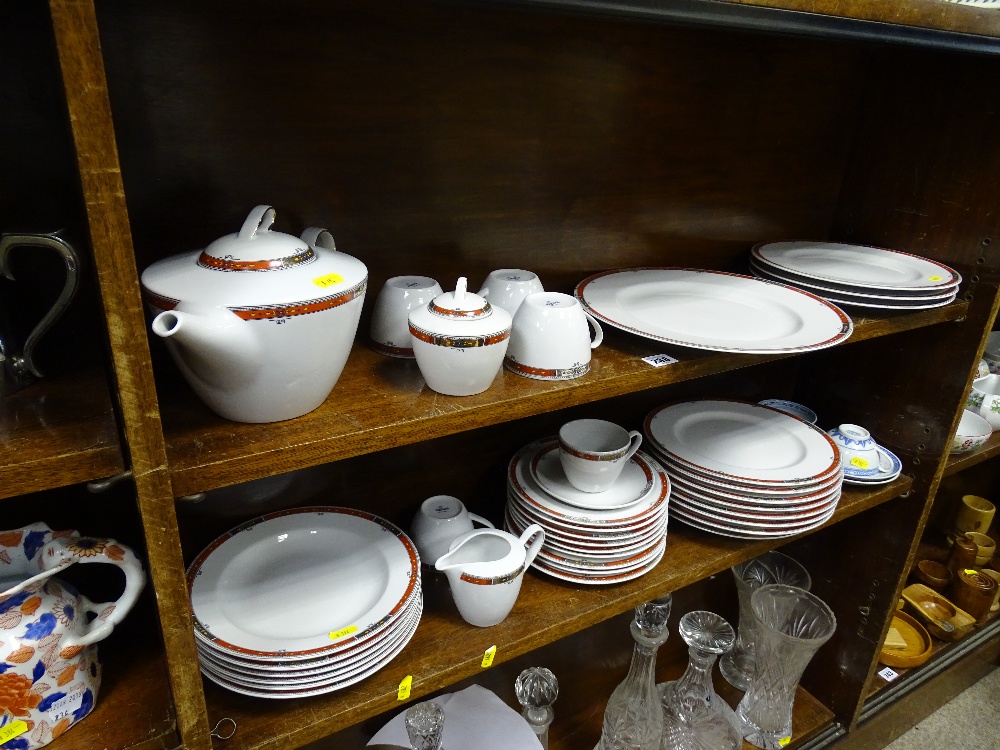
x: 383, y: 403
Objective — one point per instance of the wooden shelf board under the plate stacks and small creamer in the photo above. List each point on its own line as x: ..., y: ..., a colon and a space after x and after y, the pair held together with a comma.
x: 445, y: 650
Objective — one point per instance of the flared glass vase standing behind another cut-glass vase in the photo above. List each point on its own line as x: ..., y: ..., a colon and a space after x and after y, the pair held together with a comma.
x: 771, y: 567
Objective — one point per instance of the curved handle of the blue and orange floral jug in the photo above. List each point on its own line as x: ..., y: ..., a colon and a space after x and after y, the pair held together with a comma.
x: 62, y: 552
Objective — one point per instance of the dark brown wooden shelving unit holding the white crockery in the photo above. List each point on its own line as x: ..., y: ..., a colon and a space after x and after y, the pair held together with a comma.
x: 454, y: 137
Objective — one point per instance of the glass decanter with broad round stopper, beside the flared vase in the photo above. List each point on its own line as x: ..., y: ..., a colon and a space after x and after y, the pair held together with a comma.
x: 694, y: 716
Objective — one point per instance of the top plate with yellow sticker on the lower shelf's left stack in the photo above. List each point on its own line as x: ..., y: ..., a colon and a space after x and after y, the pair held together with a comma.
x: 302, y: 582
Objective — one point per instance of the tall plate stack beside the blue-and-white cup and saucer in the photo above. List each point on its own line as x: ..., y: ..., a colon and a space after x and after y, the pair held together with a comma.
x: 745, y: 470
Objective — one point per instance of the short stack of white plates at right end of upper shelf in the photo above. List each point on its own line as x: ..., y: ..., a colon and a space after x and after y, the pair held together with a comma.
x: 857, y: 276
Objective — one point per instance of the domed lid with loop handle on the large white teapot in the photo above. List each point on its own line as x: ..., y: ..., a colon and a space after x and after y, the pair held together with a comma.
x: 256, y: 248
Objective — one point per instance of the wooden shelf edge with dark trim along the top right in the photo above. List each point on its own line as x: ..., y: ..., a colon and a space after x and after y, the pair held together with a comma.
x: 926, y: 23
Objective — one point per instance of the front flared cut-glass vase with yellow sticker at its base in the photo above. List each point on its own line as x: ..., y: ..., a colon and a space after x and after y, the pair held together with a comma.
x: 791, y: 625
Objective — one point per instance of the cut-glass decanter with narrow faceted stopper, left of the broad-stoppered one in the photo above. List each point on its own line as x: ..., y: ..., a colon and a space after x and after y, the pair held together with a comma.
x: 633, y: 719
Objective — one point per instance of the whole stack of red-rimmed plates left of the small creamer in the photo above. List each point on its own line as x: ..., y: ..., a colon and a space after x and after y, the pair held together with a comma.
x: 304, y: 602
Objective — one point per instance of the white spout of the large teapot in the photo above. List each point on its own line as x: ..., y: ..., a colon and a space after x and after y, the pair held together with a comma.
x: 217, y: 345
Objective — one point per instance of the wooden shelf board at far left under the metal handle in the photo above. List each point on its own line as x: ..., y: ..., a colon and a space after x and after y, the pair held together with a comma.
x: 56, y: 432
